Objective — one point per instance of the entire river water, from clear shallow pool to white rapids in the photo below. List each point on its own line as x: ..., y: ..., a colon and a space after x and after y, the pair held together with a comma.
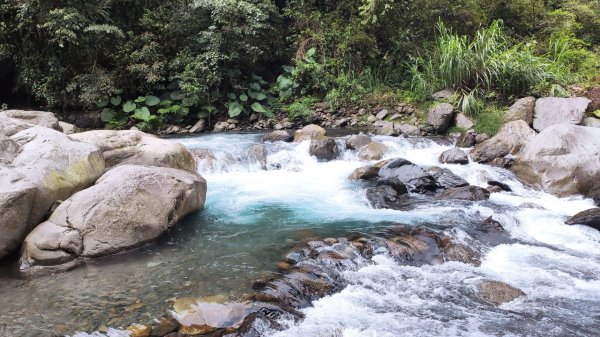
x: 252, y: 217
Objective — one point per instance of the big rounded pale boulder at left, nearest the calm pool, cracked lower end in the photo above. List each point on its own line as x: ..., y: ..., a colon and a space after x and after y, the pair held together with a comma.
x: 128, y: 206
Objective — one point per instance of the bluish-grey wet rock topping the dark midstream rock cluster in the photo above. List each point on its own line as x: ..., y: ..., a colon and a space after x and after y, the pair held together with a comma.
x: 421, y: 179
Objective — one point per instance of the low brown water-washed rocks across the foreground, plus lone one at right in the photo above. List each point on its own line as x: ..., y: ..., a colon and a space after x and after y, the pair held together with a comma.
x: 314, y: 271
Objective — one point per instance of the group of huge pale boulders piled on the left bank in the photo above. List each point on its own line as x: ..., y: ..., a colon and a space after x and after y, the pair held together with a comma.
x: 65, y: 198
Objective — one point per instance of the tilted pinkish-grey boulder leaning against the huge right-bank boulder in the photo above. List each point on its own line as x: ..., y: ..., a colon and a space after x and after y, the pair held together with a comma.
x: 509, y: 140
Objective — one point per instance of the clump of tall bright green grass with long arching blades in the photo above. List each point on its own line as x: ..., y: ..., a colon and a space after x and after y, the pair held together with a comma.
x: 488, y: 61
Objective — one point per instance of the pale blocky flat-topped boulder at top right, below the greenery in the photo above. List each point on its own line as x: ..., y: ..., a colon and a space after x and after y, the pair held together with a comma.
x: 555, y: 110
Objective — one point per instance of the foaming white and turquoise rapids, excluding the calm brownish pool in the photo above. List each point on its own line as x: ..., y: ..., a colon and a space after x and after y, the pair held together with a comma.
x: 557, y: 266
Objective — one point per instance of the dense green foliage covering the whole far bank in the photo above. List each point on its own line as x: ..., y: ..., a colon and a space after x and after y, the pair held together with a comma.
x: 238, y: 57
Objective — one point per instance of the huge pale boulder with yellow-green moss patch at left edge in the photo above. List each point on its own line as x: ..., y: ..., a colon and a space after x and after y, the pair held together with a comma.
x: 38, y: 167
